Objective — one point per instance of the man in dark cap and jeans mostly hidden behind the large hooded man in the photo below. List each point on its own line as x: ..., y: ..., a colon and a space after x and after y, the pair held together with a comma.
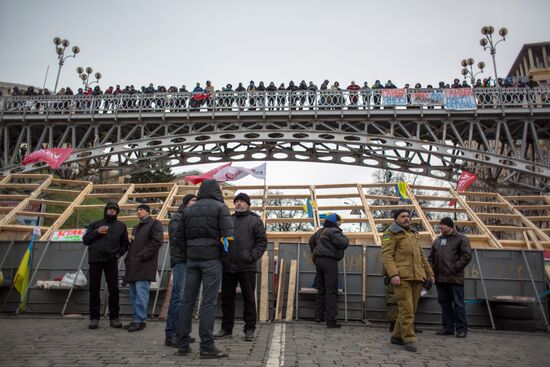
x: 178, y: 262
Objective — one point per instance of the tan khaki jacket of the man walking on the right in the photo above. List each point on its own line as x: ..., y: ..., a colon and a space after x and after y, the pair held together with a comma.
x: 402, y: 254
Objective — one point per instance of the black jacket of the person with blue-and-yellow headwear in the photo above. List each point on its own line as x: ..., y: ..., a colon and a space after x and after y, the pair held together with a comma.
x: 328, y: 241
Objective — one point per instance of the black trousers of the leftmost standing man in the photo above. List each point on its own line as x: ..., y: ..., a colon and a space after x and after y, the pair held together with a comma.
x: 110, y: 269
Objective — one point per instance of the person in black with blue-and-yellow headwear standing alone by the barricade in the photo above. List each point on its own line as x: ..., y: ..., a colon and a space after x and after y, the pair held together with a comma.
x: 327, y: 246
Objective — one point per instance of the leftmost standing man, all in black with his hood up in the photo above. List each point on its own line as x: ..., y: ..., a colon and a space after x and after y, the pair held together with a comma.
x: 107, y: 240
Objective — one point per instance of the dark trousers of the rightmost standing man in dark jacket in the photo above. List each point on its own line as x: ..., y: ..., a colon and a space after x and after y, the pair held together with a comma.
x: 451, y: 299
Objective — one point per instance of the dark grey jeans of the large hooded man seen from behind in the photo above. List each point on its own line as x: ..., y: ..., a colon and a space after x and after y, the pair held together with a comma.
x: 209, y: 273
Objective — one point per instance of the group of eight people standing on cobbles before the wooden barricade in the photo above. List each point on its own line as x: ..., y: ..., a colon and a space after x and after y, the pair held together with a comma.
x: 210, y: 247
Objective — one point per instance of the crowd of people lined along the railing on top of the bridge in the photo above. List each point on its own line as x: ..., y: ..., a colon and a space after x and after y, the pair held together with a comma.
x: 252, y: 97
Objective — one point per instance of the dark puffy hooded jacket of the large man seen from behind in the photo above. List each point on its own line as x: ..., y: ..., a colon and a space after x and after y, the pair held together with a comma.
x: 203, y: 225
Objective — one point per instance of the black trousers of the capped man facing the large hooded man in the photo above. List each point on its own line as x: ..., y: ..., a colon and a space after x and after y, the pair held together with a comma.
x: 247, y: 281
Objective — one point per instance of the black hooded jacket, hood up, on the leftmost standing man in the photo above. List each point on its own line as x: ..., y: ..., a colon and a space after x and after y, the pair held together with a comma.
x: 110, y: 246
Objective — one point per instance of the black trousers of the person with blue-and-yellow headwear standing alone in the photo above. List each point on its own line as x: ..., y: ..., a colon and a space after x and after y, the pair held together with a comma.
x: 327, y: 289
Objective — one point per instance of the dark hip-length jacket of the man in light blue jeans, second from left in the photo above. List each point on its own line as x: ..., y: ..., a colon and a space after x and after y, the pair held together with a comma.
x: 142, y: 257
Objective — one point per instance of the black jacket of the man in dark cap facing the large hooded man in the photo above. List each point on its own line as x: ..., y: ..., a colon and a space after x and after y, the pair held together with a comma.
x: 250, y: 243
